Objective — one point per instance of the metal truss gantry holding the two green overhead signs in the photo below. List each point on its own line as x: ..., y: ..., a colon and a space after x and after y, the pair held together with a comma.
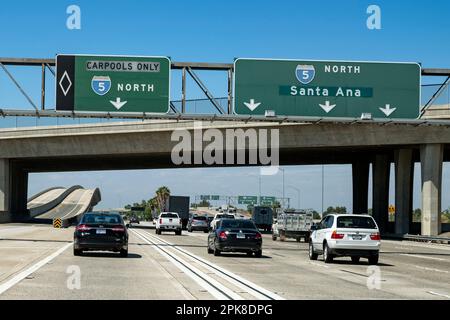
x: 187, y: 68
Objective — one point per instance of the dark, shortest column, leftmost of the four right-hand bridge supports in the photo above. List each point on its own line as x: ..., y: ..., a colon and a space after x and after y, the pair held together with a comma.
x: 360, y: 177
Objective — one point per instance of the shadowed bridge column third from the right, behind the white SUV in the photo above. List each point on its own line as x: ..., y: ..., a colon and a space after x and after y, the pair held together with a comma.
x: 380, y: 190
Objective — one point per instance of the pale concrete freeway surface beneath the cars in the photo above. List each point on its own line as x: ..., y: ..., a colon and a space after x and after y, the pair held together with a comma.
x: 38, y: 263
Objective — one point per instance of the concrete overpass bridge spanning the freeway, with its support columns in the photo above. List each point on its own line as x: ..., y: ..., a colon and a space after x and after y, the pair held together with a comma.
x: 148, y: 145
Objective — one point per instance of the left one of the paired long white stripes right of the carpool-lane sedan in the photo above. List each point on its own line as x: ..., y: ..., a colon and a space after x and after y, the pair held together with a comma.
x: 199, y: 277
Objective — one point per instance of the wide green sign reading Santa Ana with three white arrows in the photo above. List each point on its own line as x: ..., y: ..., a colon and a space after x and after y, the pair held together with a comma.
x: 327, y: 88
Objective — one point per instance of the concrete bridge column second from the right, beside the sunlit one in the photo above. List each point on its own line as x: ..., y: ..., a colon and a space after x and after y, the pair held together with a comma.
x: 404, y: 173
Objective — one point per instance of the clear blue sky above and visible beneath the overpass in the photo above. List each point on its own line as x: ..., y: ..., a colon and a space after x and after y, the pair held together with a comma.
x: 215, y: 31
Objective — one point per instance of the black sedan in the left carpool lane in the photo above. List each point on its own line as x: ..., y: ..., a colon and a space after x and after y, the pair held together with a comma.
x: 101, y: 232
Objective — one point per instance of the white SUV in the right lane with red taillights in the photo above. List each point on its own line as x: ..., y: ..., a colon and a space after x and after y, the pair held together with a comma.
x: 345, y: 235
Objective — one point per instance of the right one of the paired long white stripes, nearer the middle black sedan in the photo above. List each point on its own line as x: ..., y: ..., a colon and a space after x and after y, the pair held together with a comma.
x: 228, y: 275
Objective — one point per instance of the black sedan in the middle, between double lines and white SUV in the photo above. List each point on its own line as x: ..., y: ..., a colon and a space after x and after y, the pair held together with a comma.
x: 235, y: 235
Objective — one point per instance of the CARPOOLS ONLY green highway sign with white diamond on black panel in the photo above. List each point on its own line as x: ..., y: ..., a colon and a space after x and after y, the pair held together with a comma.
x: 112, y: 83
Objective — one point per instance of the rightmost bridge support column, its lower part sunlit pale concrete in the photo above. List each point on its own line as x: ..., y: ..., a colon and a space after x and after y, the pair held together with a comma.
x: 431, y: 157
